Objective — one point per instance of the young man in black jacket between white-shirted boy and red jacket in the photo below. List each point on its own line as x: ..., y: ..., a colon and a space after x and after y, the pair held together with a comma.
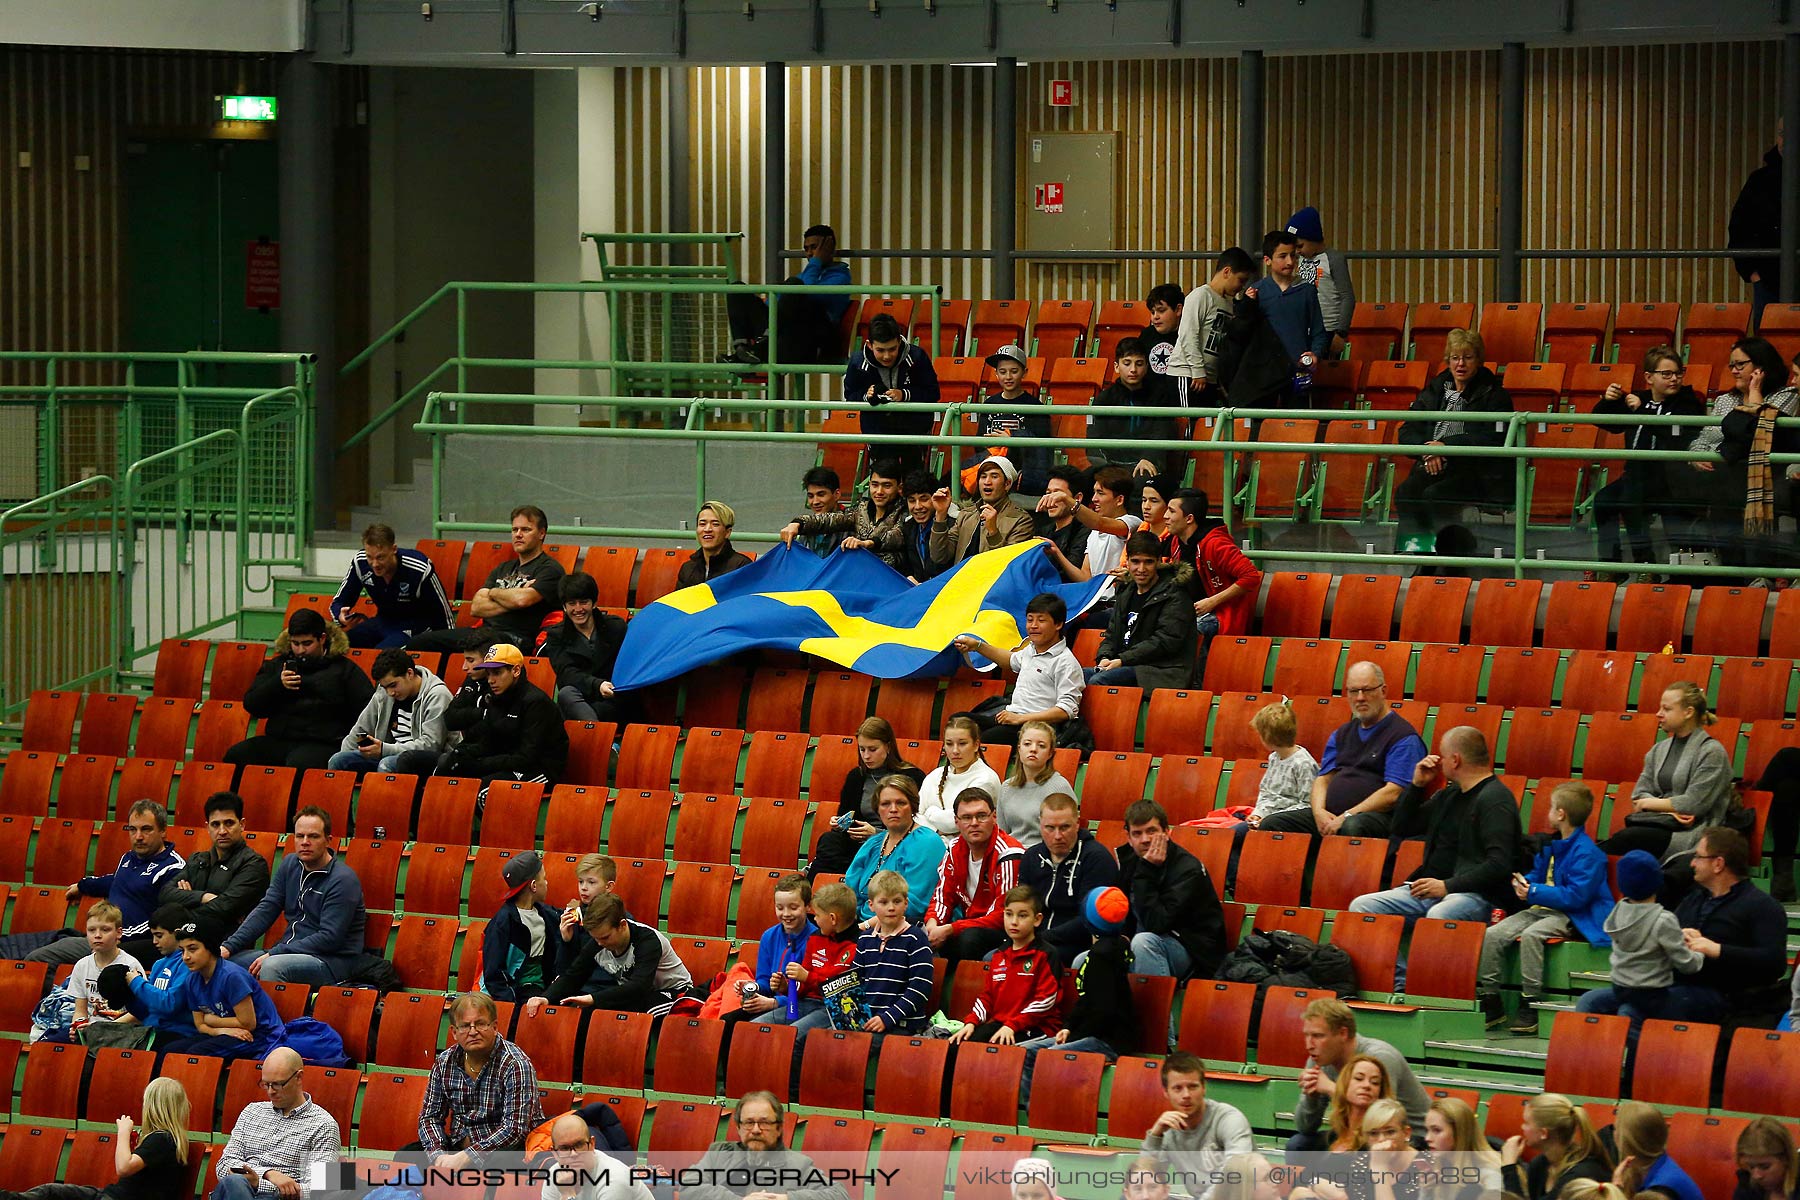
x: 1151, y: 638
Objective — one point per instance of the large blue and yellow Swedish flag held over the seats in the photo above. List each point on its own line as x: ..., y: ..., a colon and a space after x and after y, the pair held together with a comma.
x: 850, y: 609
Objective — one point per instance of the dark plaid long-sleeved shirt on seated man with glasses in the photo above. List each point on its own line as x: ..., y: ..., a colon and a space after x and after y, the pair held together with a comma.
x: 494, y: 1111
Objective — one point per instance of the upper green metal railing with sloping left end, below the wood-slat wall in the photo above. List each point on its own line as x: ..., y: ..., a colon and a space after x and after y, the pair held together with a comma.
x: 701, y: 377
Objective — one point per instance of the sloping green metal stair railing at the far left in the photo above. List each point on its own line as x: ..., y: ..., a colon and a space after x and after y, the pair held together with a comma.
x: 94, y: 575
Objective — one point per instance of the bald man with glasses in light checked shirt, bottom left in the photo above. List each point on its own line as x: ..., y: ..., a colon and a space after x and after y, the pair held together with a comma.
x: 276, y: 1142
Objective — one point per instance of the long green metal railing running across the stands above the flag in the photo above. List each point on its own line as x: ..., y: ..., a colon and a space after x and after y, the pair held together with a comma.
x: 440, y: 422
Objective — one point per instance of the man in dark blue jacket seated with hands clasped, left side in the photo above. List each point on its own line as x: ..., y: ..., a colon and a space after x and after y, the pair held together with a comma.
x: 321, y: 900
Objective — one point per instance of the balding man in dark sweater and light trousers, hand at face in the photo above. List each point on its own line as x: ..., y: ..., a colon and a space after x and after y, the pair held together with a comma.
x: 1471, y: 828
